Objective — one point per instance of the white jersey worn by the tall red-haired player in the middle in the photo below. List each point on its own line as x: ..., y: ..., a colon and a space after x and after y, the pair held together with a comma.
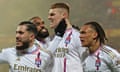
x: 66, y: 55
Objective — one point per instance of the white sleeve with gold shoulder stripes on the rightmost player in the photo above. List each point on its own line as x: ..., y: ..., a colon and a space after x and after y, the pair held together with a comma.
x: 112, y: 59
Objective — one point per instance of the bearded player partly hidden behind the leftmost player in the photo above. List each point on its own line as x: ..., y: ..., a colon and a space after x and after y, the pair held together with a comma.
x: 43, y: 34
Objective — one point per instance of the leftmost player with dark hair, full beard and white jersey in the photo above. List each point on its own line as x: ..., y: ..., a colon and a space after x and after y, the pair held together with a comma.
x: 28, y: 56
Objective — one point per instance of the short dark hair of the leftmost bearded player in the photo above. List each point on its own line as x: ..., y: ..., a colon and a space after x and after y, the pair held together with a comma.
x: 30, y: 27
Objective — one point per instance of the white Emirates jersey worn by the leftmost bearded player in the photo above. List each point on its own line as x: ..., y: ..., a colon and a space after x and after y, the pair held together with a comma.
x: 36, y: 59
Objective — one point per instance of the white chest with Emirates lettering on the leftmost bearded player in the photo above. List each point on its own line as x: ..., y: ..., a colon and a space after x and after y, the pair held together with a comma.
x: 26, y: 63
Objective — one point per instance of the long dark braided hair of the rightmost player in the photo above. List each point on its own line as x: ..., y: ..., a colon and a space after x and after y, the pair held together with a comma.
x: 98, y: 28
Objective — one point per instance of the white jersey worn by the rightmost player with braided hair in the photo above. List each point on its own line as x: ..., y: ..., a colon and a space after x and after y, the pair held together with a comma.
x: 105, y: 59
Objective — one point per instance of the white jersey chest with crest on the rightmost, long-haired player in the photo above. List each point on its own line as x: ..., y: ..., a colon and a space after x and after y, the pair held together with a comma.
x: 92, y: 63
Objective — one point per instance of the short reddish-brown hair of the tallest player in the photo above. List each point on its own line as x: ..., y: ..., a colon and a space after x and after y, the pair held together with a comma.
x: 60, y: 5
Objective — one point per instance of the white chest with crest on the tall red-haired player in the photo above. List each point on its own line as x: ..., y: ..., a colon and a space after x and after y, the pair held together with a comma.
x: 68, y: 46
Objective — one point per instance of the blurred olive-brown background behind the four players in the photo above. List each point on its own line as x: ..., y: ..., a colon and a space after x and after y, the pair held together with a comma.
x: 106, y: 12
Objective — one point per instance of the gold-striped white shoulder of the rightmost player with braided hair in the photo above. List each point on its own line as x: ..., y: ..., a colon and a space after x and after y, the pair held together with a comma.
x: 112, y: 53
